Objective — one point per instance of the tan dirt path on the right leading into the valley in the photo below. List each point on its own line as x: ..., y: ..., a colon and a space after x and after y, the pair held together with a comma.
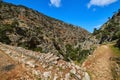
x: 98, y: 64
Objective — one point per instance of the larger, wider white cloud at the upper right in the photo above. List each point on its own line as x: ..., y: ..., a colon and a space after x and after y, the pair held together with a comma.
x: 100, y: 2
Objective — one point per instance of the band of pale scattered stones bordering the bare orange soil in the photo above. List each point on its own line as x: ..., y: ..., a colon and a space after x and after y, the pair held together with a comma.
x: 46, y: 64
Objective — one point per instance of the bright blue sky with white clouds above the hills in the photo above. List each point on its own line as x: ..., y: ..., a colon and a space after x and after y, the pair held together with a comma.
x: 85, y: 13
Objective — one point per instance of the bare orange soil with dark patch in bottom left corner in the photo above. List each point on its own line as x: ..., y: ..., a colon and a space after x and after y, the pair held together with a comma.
x: 9, y: 69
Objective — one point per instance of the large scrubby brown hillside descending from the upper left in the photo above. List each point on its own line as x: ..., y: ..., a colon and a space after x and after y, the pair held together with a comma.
x: 24, y: 27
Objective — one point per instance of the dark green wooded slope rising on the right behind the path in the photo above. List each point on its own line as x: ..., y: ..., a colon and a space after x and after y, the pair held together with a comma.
x: 110, y: 31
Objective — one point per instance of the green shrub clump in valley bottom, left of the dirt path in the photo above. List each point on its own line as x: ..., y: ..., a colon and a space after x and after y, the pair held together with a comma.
x: 76, y: 54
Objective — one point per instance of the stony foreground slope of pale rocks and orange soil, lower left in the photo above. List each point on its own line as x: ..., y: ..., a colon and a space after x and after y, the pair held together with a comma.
x: 16, y: 62
